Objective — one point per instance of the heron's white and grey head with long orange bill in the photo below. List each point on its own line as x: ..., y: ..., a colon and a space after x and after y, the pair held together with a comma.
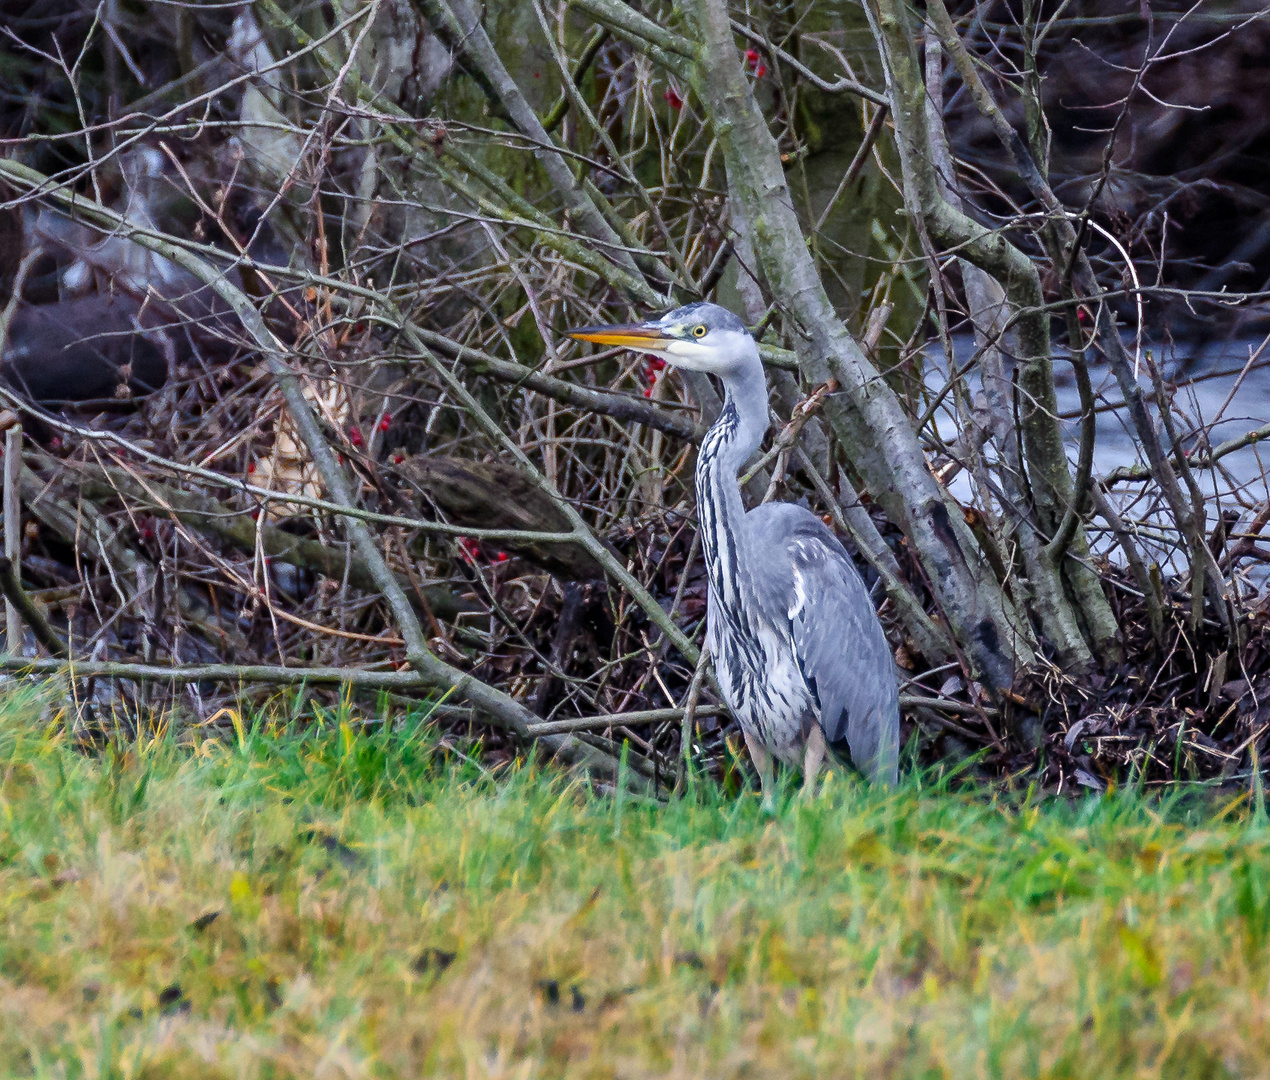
x: 702, y: 337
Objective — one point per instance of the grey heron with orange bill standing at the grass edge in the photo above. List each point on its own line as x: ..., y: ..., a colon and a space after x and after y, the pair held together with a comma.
x: 799, y: 652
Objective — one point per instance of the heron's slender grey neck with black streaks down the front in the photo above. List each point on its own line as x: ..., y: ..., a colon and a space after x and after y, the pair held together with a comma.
x: 725, y: 450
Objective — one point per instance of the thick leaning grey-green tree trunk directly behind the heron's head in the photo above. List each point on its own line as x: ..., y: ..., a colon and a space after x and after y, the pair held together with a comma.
x: 868, y: 416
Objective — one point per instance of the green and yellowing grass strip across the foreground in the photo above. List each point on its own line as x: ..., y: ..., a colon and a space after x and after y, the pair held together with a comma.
x: 391, y: 910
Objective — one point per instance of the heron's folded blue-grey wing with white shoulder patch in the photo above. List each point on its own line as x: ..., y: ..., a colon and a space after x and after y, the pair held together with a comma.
x: 840, y: 645
